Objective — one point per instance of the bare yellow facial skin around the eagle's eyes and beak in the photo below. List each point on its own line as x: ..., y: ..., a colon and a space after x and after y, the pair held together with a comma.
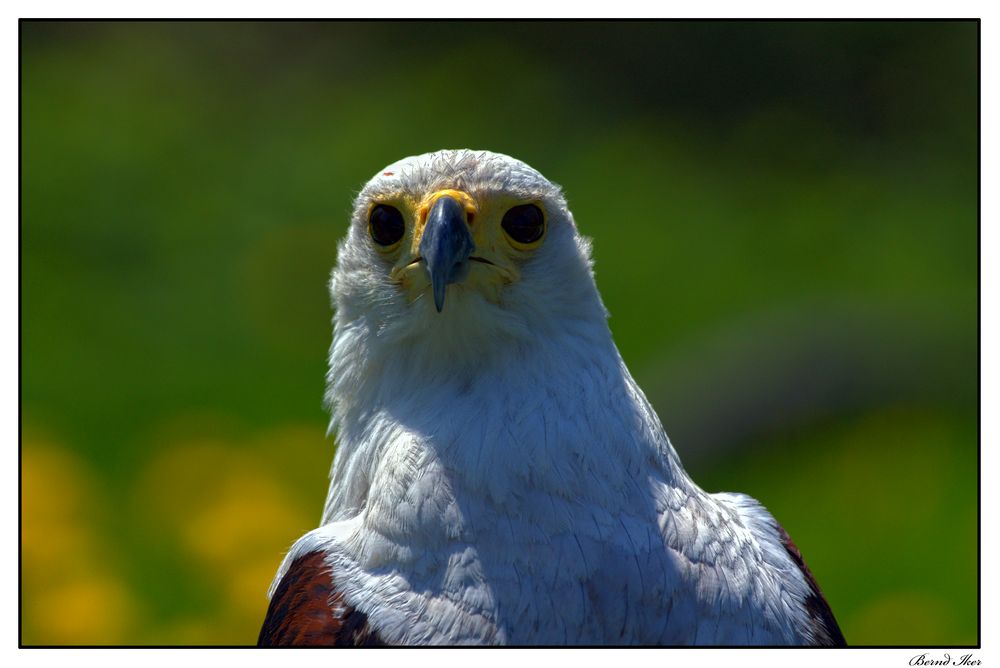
x: 496, y: 259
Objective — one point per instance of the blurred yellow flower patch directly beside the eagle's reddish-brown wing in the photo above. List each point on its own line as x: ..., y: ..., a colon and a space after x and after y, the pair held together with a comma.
x: 233, y: 506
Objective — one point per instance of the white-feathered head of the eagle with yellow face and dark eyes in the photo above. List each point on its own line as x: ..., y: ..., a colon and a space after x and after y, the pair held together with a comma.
x: 462, y: 254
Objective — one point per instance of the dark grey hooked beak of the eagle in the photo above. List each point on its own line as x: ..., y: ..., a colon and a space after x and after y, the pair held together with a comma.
x: 446, y: 245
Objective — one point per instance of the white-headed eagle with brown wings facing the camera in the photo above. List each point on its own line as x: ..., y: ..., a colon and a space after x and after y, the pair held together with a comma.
x: 500, y: 478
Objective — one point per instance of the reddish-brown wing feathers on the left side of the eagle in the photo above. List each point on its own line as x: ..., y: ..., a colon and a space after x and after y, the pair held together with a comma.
x: 307, y: 610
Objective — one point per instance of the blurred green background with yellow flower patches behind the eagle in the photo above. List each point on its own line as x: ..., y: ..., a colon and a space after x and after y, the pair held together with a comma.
x: 784, y: 219
